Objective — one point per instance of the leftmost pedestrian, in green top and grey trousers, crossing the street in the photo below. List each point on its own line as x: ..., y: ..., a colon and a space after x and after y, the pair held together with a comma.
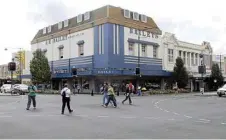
x: 32, y: 89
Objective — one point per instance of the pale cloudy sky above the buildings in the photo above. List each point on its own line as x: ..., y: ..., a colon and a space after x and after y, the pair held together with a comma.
x: 190, y: 20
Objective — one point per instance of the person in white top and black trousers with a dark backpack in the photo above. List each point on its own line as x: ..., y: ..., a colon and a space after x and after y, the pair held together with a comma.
x: 66, y: 98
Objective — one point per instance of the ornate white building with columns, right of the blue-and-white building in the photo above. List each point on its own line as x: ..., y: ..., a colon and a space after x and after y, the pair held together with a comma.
x: 189, y: 53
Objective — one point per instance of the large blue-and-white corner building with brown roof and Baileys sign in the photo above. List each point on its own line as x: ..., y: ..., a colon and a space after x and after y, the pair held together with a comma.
x: 102, y: 45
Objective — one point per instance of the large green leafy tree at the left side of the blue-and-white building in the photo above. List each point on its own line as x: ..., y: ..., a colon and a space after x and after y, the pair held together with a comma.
x: 39, y: 68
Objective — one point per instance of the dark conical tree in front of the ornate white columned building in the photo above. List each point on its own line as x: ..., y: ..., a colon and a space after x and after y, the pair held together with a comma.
x: 180, y: 74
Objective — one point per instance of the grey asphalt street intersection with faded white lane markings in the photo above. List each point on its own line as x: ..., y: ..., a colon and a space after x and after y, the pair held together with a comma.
x: 167, y: 116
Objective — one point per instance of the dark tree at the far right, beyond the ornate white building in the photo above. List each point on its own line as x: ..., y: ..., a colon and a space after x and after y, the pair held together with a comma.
x: 216, y: 78
